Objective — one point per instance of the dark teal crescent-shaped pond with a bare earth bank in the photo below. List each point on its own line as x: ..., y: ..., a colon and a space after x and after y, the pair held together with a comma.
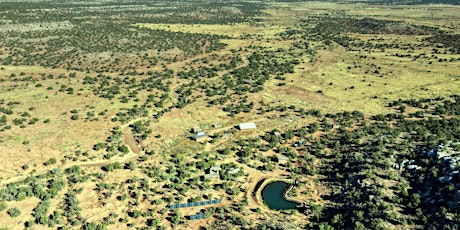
x: 272, y: 195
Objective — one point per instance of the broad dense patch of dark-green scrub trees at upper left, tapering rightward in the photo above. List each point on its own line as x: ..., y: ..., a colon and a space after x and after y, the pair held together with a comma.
x: 103, y: 47
